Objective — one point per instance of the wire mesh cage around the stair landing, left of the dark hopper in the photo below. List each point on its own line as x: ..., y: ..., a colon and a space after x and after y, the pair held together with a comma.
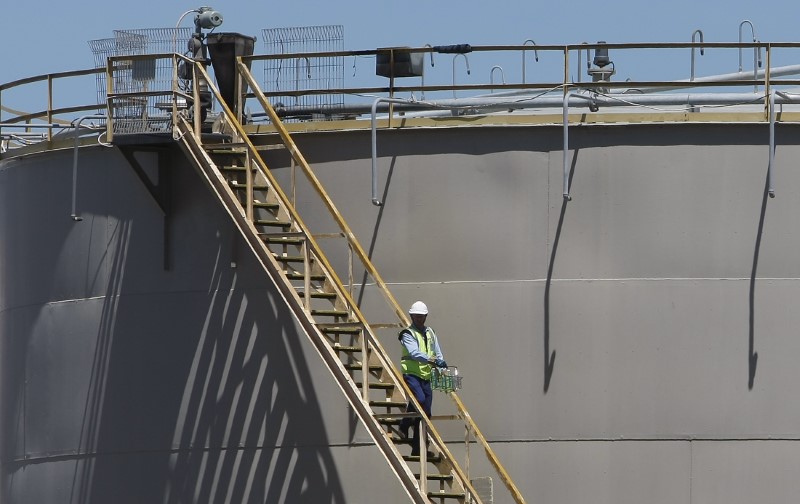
x: 148, y: 112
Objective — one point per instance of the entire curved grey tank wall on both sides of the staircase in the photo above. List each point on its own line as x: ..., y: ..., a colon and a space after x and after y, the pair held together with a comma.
x: 635, y: 344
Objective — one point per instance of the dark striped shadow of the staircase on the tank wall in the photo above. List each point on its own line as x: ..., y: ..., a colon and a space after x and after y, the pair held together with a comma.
x: 209, y: 397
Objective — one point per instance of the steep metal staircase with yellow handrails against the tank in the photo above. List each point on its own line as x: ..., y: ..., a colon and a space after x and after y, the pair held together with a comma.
x: 235, y: 171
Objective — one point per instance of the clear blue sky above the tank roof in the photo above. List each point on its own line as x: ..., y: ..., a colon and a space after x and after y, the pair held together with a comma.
x: 51, y: 36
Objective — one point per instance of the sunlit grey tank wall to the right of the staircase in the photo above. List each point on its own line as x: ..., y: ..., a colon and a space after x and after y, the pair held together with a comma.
x: 635, y: 344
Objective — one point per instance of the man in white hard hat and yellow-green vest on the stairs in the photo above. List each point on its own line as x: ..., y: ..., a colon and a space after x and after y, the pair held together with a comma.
x: 420, y: 351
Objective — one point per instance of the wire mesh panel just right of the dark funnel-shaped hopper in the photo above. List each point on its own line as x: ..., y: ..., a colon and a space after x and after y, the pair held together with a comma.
x: 306, y: 73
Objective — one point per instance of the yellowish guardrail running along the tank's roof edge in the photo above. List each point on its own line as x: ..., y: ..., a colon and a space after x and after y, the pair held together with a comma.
x: 35, y: 109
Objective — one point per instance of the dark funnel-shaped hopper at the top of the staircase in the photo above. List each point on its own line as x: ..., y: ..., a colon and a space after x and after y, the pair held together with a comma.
x: 223, y: 49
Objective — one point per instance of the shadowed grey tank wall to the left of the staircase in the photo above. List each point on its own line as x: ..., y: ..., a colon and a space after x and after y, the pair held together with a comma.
x: 138, y: 365
